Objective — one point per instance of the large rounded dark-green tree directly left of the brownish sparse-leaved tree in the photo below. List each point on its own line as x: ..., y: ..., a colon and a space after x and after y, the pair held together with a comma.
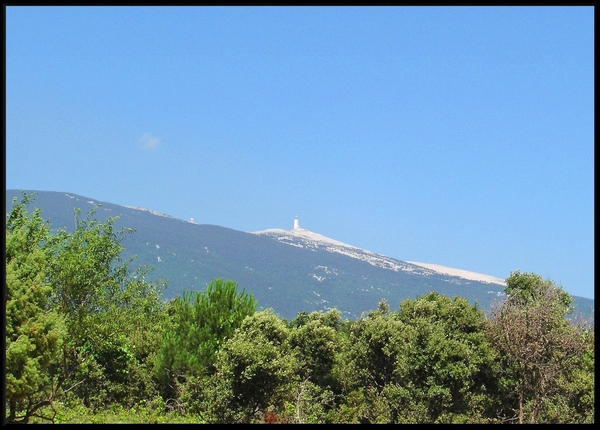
x: 447, y: 361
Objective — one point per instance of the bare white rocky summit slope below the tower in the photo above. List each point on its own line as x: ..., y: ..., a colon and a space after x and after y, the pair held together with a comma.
x: 307, y: 239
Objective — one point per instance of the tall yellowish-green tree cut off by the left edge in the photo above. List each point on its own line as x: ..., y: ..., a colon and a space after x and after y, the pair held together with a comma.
x: 34, y: 332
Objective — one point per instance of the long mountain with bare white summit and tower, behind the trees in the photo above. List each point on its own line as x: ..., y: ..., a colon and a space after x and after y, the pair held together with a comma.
x: 288, y: 270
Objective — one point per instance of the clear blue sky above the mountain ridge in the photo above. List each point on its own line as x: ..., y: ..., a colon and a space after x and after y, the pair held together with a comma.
x: 459, y: 136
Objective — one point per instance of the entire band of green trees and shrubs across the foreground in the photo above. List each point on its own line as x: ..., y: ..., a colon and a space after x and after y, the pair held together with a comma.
x: 90, y: 341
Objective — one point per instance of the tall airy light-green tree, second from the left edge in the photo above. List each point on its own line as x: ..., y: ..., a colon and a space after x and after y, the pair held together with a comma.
x: 102, y: 301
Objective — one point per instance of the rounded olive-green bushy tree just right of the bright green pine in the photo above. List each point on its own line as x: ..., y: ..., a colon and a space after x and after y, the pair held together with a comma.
x: 254, y: 374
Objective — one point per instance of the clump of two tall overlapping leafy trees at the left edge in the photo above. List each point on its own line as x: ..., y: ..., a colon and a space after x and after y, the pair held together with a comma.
x: 80, y: 325
